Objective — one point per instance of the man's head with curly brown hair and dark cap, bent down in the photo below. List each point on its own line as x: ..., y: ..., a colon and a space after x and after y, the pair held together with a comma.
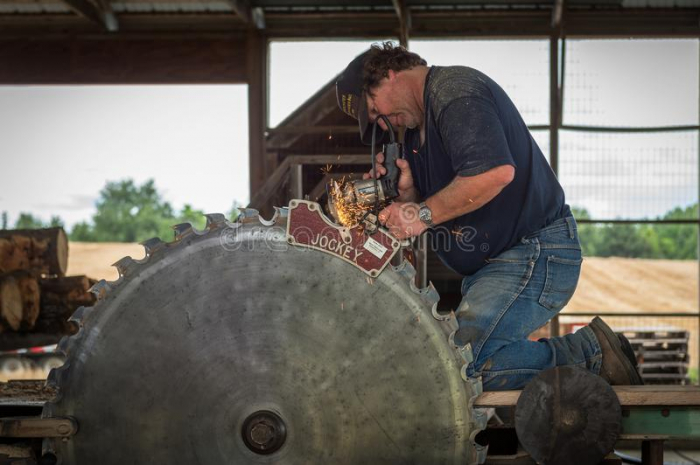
x: 370, y: 86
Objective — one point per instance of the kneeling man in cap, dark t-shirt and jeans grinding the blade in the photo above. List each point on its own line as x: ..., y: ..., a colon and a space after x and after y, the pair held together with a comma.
x: 475, y: 179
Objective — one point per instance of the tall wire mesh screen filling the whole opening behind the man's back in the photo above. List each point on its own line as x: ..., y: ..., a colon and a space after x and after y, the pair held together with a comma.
x: 631, y: 189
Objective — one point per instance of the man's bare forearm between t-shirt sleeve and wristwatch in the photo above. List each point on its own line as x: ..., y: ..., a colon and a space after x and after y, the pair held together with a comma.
x: 466, y: 194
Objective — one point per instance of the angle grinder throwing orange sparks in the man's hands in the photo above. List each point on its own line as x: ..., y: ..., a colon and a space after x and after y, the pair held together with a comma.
x: 359, y: 201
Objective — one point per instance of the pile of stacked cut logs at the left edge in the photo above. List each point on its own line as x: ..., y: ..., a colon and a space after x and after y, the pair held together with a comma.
x: 36, y: 297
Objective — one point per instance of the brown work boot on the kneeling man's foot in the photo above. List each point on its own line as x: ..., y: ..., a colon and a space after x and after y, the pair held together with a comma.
x: 619, y: 364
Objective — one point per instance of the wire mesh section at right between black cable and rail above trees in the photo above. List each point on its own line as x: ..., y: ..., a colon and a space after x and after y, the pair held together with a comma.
x: 629, y: 175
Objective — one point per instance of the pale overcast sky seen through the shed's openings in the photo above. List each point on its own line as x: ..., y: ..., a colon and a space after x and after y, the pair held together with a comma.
x: 60, y: 144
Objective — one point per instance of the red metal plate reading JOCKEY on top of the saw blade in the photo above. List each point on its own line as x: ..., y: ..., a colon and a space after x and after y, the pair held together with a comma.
x: 307, y: 226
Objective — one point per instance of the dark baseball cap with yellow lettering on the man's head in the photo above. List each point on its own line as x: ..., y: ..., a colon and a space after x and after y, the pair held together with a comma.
x: 349, y: 89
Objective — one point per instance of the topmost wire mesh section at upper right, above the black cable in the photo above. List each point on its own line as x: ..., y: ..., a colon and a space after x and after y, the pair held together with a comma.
x: 631, y: 83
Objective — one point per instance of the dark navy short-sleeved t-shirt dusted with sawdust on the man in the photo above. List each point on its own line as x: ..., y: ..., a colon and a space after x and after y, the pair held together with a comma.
x: 471, y: 126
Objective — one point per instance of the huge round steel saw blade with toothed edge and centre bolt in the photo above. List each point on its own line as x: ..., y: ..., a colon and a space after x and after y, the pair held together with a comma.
x: 232, y: 347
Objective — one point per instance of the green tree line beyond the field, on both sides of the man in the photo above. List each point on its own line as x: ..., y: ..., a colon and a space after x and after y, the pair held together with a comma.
x: 127, y: 212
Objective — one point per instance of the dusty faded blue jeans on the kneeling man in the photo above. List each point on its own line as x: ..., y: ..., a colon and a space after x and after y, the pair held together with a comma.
x: 517, y: 292
